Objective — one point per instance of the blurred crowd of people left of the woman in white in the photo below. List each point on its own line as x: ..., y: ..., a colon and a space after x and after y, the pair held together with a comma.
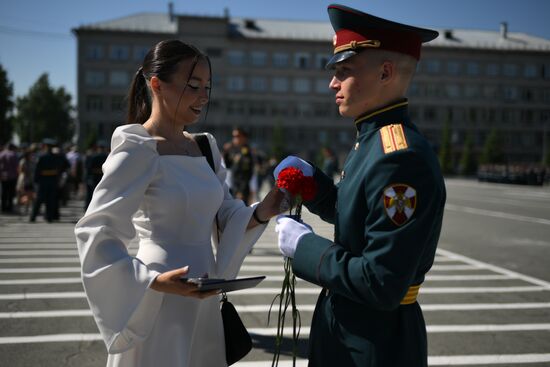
x: 48, y: 174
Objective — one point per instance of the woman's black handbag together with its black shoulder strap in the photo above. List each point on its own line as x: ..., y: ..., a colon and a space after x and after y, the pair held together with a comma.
x: 237, y: 340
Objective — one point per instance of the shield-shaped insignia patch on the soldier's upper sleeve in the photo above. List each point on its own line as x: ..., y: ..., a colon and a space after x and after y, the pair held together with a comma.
x: 399, y: 202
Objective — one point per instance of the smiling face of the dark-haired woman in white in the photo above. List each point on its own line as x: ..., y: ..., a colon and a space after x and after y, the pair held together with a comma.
x: 184, y: 96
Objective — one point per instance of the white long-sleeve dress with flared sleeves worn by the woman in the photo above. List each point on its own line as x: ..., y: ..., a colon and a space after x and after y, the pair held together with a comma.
x: 169, y: 202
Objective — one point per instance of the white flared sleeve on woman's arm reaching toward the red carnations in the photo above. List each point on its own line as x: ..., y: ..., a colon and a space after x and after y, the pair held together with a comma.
x: 235, y: 241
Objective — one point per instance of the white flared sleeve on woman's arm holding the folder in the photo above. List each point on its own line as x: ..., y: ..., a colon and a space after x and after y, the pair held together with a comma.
x: 117, y: 284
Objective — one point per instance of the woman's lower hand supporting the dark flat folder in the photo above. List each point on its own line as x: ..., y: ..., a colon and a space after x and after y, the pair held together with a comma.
x: 170, y: 282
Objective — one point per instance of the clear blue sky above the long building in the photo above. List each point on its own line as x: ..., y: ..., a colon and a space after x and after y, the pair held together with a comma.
x: 35, y: 35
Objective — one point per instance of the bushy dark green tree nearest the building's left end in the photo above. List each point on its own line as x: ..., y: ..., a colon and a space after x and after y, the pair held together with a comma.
x: 44, y: 112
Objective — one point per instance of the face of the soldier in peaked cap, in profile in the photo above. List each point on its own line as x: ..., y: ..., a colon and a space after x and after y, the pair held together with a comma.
x: 356, y: 82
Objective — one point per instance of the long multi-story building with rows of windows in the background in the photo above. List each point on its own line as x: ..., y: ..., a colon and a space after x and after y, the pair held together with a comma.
x: 269, y: 75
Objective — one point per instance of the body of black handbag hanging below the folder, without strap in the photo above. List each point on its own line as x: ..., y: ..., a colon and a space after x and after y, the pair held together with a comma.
x: 237, y: 340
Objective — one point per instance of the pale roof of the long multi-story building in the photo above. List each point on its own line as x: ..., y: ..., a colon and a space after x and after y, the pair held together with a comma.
x: 322, y: 31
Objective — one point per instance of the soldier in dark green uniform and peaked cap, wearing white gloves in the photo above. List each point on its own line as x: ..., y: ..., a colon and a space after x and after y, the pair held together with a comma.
x: 387, y: 208
